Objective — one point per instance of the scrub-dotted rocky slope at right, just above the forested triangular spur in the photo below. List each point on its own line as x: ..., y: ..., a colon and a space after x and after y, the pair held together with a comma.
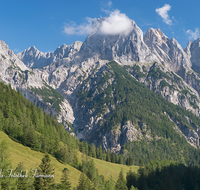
x: 170, y: 86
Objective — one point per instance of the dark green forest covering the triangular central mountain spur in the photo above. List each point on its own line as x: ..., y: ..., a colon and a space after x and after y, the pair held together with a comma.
x: 139, y: 105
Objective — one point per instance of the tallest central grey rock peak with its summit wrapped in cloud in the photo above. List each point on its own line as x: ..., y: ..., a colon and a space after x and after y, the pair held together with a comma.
x: 123, y: 46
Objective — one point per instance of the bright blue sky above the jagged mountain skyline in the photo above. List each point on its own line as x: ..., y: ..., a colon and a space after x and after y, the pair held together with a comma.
x: 47, y: 24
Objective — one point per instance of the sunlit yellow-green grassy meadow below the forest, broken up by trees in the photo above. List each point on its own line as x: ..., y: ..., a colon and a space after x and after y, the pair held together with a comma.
x: 31, y: 160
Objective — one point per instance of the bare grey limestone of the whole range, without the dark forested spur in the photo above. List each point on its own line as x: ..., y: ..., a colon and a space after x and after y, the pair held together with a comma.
x: 153, y: 59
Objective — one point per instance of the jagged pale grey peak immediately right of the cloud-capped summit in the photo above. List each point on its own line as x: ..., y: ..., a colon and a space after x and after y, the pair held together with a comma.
x: 168, y: 51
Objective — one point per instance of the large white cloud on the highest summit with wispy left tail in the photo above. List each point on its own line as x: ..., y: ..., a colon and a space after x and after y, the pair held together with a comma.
x: 116, y: 23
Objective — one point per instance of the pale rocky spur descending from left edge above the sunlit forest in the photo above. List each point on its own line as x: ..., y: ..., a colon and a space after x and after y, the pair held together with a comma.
x: 14, y: 72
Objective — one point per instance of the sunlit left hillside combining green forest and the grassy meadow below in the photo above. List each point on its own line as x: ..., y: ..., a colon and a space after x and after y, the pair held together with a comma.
x: 31, y: 126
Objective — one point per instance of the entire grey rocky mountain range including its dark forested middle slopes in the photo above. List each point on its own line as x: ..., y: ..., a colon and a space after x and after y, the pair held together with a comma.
x: 93, y: 87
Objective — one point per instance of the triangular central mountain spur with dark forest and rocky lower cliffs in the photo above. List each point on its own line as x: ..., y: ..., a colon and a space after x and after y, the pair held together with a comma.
x: 121, y: 114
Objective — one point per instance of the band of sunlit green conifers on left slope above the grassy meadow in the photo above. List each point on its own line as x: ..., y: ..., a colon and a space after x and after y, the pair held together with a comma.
x: 29, y: 125
